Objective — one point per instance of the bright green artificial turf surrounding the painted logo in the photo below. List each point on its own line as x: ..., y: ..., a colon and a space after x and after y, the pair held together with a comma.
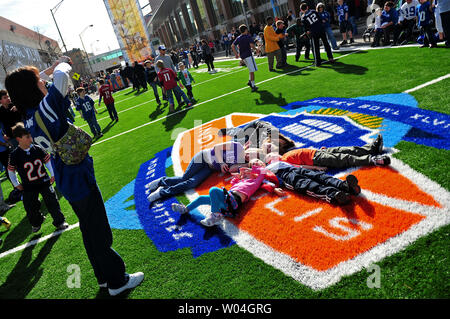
x: 419, y: 271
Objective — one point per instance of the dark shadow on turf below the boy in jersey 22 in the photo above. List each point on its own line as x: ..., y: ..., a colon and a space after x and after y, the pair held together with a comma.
x: 27, y: 272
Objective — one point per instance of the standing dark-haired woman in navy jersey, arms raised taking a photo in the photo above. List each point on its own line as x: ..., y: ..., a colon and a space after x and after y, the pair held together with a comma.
x: 27, y: 89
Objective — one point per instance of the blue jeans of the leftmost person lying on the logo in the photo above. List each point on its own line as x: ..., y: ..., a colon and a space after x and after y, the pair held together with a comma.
x: 197, y: 171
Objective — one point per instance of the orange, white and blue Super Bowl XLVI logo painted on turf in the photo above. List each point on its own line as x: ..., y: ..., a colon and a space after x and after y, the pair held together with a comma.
x: 313, y: 242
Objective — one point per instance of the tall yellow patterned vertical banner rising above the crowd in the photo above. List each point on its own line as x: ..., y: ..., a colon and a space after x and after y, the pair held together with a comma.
x: 129, y: 26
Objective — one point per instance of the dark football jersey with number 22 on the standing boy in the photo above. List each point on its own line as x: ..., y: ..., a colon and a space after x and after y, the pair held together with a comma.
x: 30, y: 165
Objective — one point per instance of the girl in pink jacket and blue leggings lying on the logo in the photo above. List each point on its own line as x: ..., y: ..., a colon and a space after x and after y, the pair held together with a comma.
x: 226, y: 203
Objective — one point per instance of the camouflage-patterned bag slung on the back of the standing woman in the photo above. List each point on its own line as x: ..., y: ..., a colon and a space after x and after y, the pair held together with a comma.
x: 73, y: 146
